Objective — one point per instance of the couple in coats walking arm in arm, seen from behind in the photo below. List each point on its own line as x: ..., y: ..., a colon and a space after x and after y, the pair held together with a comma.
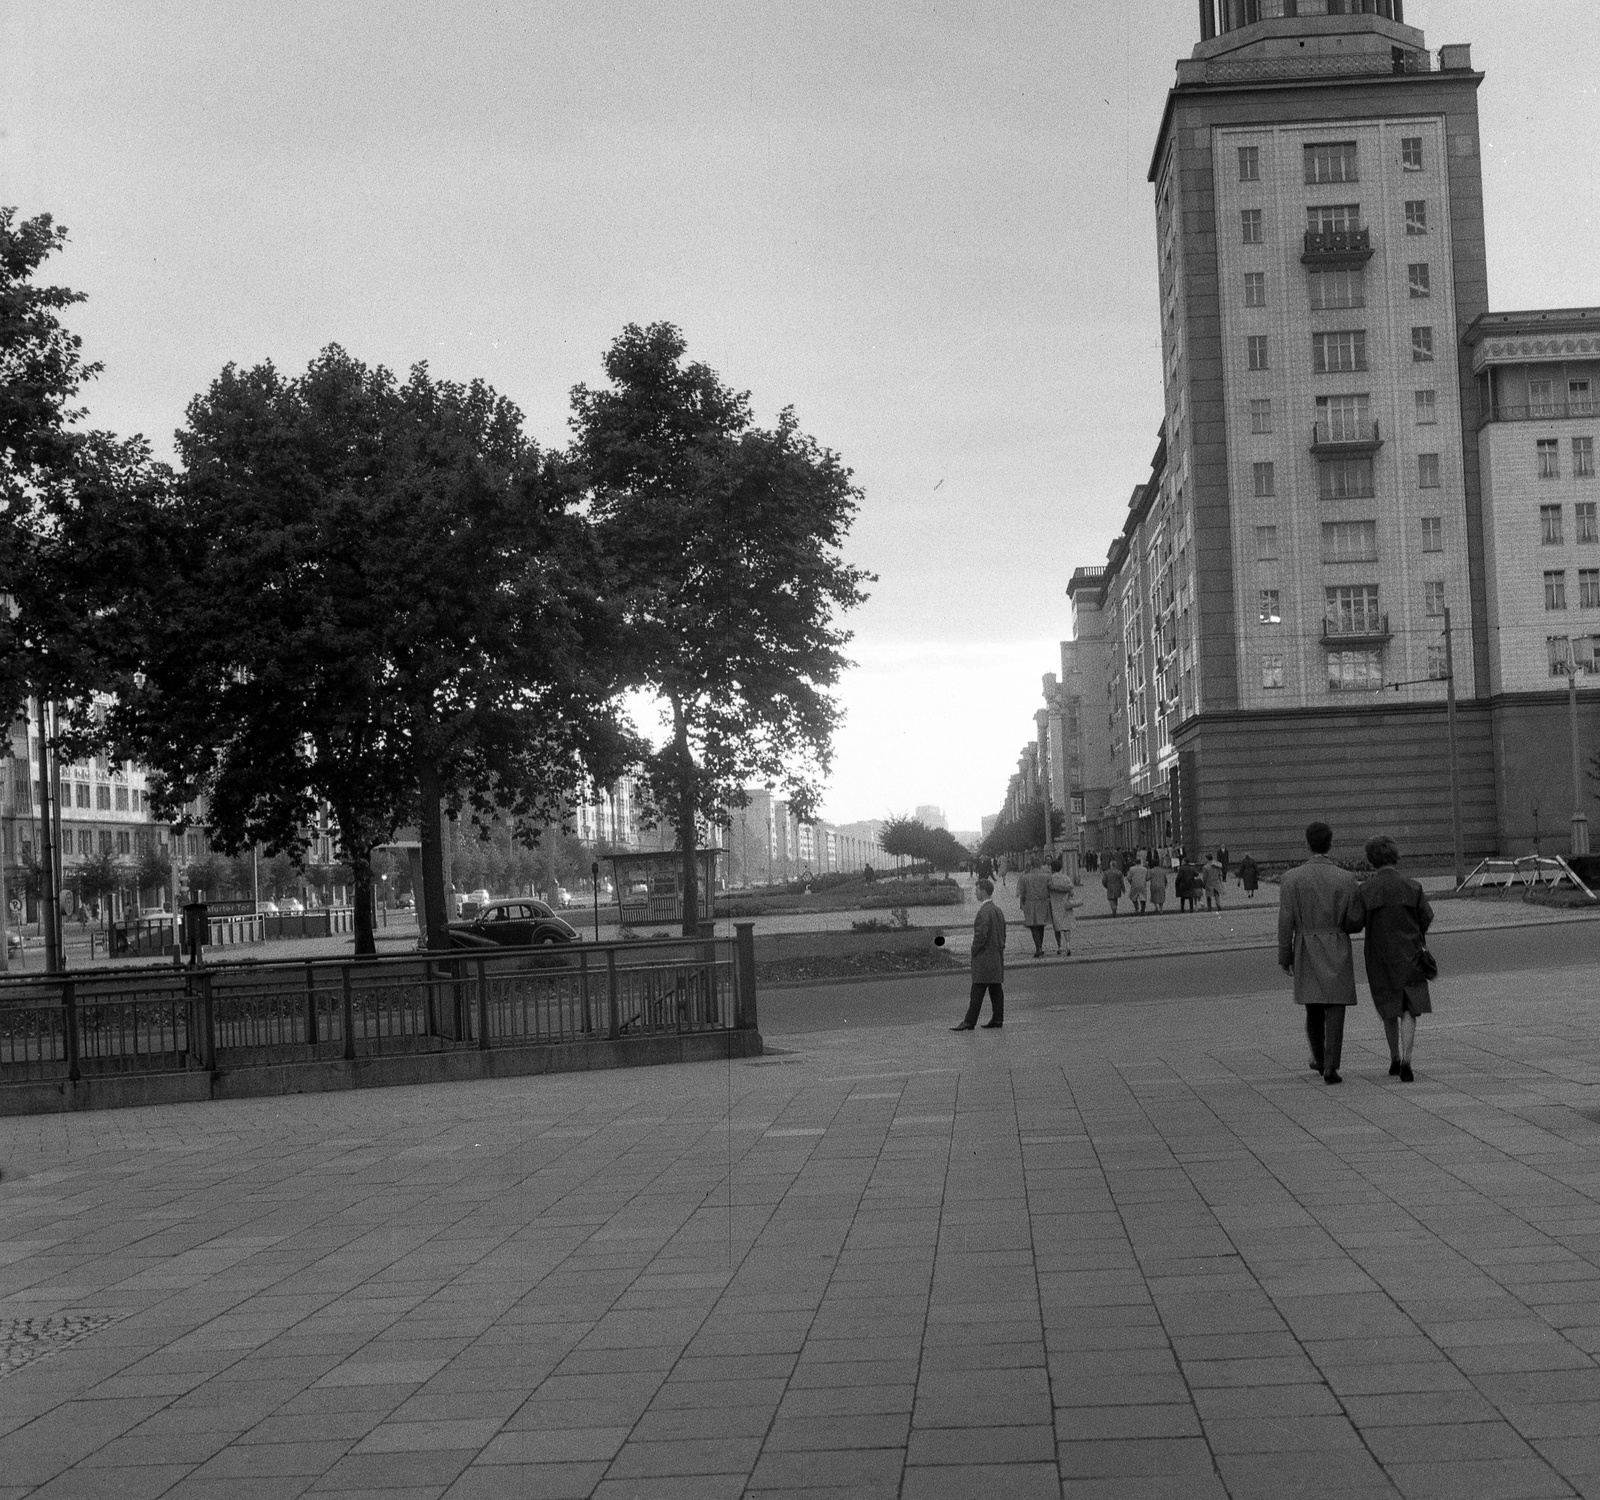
x: 1319, y: 908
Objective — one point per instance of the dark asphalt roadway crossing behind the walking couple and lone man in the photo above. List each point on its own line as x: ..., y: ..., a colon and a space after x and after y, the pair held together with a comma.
x: 1049, y: 984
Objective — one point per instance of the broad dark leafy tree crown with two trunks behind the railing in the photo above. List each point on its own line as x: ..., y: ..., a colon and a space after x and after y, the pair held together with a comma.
x: 378, y: 597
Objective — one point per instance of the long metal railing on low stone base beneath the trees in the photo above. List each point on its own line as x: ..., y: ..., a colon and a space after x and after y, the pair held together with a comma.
x: 220, y: 1016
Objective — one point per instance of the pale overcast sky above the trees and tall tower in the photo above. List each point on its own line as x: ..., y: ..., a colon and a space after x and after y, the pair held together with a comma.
x: 924, y: 226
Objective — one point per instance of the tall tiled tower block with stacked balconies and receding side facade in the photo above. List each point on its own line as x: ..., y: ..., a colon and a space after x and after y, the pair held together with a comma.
x: 1282, y: 589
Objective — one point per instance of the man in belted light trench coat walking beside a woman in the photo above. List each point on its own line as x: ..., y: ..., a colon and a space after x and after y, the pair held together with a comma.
x: 1319, y: 909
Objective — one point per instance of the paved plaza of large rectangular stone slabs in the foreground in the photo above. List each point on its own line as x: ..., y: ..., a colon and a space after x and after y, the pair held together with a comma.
x: 1121, y: 1251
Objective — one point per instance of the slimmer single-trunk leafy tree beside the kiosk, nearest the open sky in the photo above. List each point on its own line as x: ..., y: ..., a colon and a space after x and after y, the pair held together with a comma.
x: 726, y: 546
